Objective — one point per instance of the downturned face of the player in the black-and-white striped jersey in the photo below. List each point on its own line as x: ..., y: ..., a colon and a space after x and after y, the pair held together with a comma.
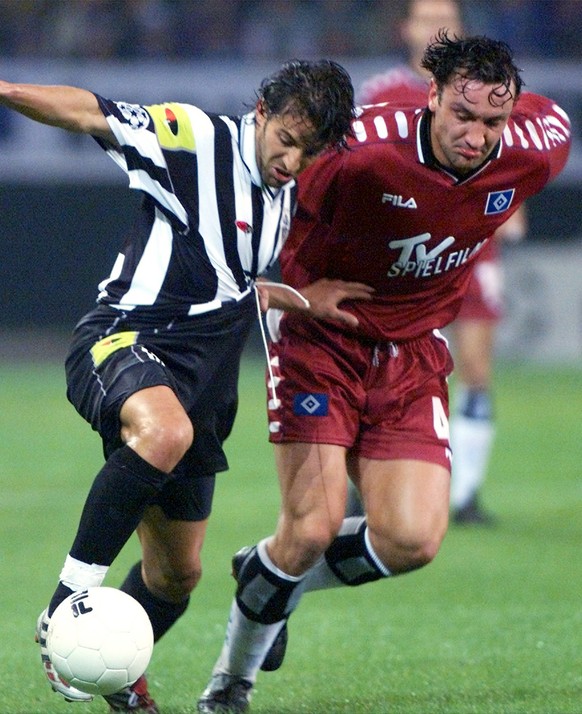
x: 284, y: 147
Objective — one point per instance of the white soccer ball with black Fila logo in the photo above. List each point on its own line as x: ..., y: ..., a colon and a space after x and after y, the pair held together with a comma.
x: 100, y: 640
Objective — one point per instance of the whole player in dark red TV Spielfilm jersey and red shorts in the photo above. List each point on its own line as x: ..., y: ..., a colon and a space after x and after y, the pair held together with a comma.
x: 406, y: 211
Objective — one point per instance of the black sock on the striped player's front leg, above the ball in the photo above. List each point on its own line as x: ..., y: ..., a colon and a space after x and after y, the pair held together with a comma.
x: 115, y: 506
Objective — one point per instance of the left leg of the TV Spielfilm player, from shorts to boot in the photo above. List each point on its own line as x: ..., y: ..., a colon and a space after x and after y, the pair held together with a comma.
x: 313, y: 487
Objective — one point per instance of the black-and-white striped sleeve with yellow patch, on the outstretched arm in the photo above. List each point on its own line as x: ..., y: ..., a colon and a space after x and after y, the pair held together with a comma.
x: 140, y: 132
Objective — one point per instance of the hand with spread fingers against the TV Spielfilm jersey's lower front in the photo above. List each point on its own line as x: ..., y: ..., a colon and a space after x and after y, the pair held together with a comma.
x: 325, y: 297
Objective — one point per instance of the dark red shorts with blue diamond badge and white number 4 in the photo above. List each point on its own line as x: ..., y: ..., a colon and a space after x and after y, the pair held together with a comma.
x: 380, y: 400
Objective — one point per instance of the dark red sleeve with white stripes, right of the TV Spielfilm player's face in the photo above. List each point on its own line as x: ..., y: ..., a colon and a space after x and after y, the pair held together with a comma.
x: 539, y: 125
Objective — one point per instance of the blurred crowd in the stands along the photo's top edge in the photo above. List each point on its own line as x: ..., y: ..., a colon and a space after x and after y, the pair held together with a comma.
x: 263, y: 29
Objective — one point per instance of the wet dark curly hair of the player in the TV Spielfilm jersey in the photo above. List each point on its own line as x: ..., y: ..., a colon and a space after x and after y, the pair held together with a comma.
x: 473, y: 58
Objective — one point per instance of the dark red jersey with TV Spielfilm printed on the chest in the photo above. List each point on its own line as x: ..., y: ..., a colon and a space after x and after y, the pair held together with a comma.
x: 387, y: 214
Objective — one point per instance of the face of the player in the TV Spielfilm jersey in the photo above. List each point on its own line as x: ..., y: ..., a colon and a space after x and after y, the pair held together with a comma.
x: 468, y: 120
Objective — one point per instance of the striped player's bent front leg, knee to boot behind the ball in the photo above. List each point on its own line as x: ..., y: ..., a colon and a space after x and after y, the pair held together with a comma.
x: 157, y: 432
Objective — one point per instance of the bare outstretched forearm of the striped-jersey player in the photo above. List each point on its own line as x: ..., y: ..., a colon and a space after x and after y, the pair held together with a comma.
x: 65, y: 107
